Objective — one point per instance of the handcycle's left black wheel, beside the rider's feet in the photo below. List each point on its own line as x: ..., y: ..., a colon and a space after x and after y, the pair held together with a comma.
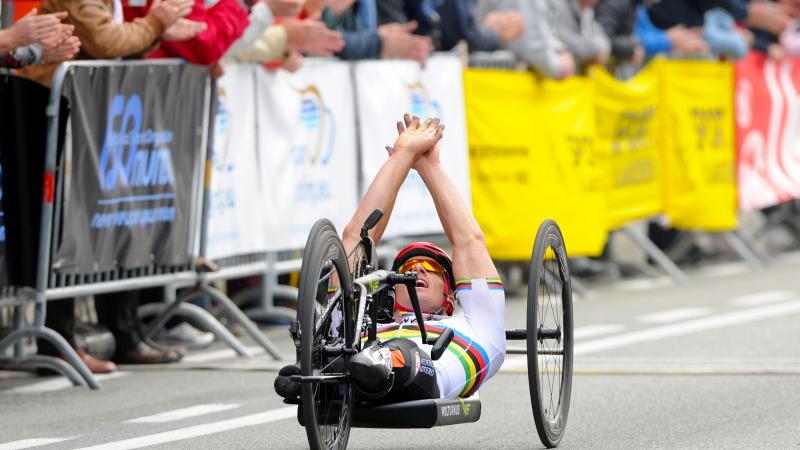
x: 326, y: 323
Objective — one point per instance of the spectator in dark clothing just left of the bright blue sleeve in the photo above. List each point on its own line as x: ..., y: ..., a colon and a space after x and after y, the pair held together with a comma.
x: 617, y: 18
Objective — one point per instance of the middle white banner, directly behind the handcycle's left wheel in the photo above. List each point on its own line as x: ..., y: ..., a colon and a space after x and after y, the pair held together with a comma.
x: 307, y: 145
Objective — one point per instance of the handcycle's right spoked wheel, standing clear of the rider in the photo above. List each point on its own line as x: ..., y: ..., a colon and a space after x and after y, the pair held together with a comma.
x: 549, y: 336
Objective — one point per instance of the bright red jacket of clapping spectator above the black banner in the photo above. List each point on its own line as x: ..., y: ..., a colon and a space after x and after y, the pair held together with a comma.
x: 226, y: 22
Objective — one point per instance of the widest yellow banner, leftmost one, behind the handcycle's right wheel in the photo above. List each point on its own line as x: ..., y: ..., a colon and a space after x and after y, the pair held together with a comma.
x: 532, y: 157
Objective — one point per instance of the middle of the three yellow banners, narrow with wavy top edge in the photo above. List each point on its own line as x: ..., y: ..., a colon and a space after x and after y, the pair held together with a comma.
x: 628, y: 141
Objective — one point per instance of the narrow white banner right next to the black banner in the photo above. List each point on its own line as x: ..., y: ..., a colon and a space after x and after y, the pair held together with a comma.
x: 236, y: 222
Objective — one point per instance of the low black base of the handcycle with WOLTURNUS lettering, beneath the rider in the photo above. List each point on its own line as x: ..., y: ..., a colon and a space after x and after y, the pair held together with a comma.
x: 418, y: 413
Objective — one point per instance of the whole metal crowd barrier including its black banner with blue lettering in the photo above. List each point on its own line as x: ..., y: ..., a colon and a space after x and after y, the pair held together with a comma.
x: 130, y: 219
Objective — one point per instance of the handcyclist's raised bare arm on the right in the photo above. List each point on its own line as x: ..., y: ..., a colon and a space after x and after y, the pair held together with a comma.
x: 470, y: 257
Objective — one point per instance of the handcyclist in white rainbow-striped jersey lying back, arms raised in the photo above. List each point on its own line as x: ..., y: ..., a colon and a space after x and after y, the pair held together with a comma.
x: 469, y: 278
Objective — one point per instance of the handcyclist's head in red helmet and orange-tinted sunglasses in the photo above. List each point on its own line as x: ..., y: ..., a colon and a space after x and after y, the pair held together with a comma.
x: 435, y: 281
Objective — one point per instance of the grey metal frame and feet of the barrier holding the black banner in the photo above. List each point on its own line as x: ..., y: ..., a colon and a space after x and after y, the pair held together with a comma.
x: 52, y: 284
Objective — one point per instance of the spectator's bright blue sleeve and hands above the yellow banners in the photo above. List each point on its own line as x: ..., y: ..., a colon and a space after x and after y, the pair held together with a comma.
x: 678, y: 39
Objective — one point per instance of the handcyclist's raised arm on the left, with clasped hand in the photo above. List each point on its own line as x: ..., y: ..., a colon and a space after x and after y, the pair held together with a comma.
x: 414, y: 141
